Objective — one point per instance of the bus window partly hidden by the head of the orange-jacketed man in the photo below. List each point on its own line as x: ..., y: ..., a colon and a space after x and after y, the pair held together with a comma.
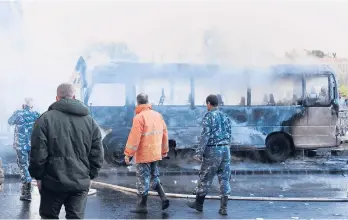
x: 166, y: 92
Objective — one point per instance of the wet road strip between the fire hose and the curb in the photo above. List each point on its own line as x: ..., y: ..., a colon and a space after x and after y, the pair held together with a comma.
x: 291, y: 185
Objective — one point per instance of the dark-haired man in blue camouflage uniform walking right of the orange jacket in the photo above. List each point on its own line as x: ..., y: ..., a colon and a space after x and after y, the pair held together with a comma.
x: 214, y: 152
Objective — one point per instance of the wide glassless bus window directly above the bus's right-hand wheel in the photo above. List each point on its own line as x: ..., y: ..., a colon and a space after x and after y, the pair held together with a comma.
x: 276, y: 91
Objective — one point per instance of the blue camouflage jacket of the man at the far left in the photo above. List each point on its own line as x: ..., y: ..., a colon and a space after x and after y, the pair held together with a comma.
x: 24, y: 121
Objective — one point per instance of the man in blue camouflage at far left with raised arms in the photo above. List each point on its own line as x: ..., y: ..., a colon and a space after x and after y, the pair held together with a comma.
x: 24, y: 120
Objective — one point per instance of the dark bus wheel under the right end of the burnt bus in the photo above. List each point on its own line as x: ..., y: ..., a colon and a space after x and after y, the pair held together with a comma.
x: 278, y: 148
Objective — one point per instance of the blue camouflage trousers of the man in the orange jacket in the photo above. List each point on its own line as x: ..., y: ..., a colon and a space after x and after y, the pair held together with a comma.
x: 147, y: 176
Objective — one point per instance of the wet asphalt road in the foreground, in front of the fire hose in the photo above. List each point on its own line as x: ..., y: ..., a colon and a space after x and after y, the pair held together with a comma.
x: 107, y: 204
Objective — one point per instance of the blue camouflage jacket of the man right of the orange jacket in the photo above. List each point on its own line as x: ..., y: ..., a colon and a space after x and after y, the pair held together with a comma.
x: 217, y: 129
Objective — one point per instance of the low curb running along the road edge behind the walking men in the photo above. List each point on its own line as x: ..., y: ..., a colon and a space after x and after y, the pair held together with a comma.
x: 234, y: 172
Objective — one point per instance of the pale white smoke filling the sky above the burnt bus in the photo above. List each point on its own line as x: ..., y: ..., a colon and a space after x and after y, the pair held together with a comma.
x: 41, y: 42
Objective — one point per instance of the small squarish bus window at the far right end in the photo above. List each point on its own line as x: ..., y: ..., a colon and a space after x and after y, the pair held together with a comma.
x: 317, y: 91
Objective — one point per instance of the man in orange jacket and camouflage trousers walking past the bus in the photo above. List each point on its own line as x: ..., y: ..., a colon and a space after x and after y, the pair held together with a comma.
x: 147, y: 143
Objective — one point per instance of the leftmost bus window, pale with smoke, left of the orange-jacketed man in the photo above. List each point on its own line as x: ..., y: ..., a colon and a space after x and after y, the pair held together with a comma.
x: 108, y: 94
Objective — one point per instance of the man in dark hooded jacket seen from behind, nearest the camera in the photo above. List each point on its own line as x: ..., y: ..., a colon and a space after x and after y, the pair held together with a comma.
x: 66, y: 154
